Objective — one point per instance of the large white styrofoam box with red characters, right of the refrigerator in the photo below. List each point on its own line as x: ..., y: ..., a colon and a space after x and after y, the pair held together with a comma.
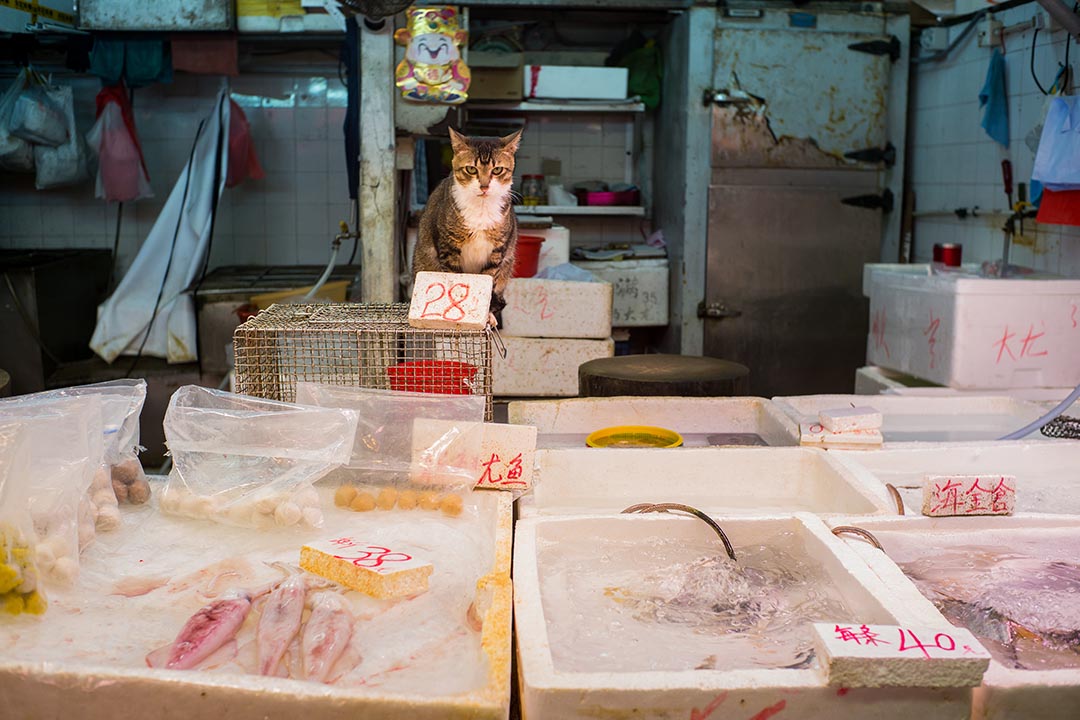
x: 966, y: 332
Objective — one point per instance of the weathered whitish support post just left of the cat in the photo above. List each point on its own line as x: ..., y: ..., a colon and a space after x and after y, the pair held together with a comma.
x: 377, y: 174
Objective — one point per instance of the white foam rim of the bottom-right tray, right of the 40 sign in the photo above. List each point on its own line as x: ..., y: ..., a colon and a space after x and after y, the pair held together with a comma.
x: 1006, y: 694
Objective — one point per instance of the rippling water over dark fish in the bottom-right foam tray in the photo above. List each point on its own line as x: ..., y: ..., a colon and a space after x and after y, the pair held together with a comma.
x: 1021, y: 596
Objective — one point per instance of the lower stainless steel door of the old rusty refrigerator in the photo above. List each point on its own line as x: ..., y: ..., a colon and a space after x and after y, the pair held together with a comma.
x: 785, y: 265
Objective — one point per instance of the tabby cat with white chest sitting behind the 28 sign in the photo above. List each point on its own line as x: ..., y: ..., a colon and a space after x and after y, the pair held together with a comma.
x: 469, y: 225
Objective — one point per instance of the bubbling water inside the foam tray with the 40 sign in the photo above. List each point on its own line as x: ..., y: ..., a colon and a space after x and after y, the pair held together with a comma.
x: 659, y: 604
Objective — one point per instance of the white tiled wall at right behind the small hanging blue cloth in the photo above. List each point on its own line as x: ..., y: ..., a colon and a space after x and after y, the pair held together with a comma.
x: 956, y: 165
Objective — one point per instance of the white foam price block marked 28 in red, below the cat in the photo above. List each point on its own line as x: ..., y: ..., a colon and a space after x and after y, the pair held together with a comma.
x: 443, y: 301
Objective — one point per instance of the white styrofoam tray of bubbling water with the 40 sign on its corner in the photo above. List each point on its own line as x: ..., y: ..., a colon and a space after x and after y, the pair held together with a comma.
x: 595, y: 642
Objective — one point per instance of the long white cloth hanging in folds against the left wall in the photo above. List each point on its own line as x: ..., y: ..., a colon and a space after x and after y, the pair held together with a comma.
x: 170, y: 261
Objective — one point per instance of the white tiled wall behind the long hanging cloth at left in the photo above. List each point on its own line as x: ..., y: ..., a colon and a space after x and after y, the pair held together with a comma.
x: 286, y: 219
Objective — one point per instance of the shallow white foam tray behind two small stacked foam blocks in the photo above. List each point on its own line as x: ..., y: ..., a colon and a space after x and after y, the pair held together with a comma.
x: 926, y: 419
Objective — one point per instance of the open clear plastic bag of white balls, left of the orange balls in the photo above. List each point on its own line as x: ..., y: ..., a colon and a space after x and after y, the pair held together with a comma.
x: 251, y: 463
